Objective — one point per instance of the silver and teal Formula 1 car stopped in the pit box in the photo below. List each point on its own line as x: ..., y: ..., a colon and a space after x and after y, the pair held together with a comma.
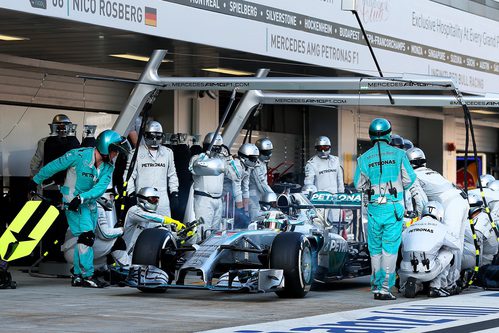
x: 286, y: 251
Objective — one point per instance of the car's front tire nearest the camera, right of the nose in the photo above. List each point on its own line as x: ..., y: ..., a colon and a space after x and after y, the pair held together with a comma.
x: 292, y: 252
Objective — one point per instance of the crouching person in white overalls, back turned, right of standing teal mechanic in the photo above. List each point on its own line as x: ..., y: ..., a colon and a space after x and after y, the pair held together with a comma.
x: 427, y: 255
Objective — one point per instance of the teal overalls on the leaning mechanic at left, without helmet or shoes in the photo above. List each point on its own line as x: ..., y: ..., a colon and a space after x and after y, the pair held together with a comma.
x: 83, y: 178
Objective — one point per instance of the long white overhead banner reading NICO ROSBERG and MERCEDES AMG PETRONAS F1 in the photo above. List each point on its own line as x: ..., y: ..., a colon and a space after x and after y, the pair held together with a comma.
x: 420, y: 37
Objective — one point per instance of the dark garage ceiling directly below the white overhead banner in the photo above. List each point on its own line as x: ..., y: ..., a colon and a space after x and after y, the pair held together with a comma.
x: 69, y: 42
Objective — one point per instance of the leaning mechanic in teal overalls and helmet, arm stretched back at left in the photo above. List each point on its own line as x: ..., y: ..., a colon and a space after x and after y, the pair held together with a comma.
x: 89, y: 173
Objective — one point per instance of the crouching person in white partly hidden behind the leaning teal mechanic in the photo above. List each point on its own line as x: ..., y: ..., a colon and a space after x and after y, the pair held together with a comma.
x: 108, y: 239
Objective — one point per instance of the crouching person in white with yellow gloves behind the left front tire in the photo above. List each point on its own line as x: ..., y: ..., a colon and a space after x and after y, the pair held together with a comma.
x: 144, y: 216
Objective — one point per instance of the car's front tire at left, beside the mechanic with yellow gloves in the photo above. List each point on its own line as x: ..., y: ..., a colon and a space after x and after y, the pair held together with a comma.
x: 147, y: 251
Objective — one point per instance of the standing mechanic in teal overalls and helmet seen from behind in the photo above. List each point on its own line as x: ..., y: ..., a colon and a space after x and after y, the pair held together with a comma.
x: 383, y: 174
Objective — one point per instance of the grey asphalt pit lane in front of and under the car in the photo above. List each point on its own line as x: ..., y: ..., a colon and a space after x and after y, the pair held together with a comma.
x: 52, y: 305
